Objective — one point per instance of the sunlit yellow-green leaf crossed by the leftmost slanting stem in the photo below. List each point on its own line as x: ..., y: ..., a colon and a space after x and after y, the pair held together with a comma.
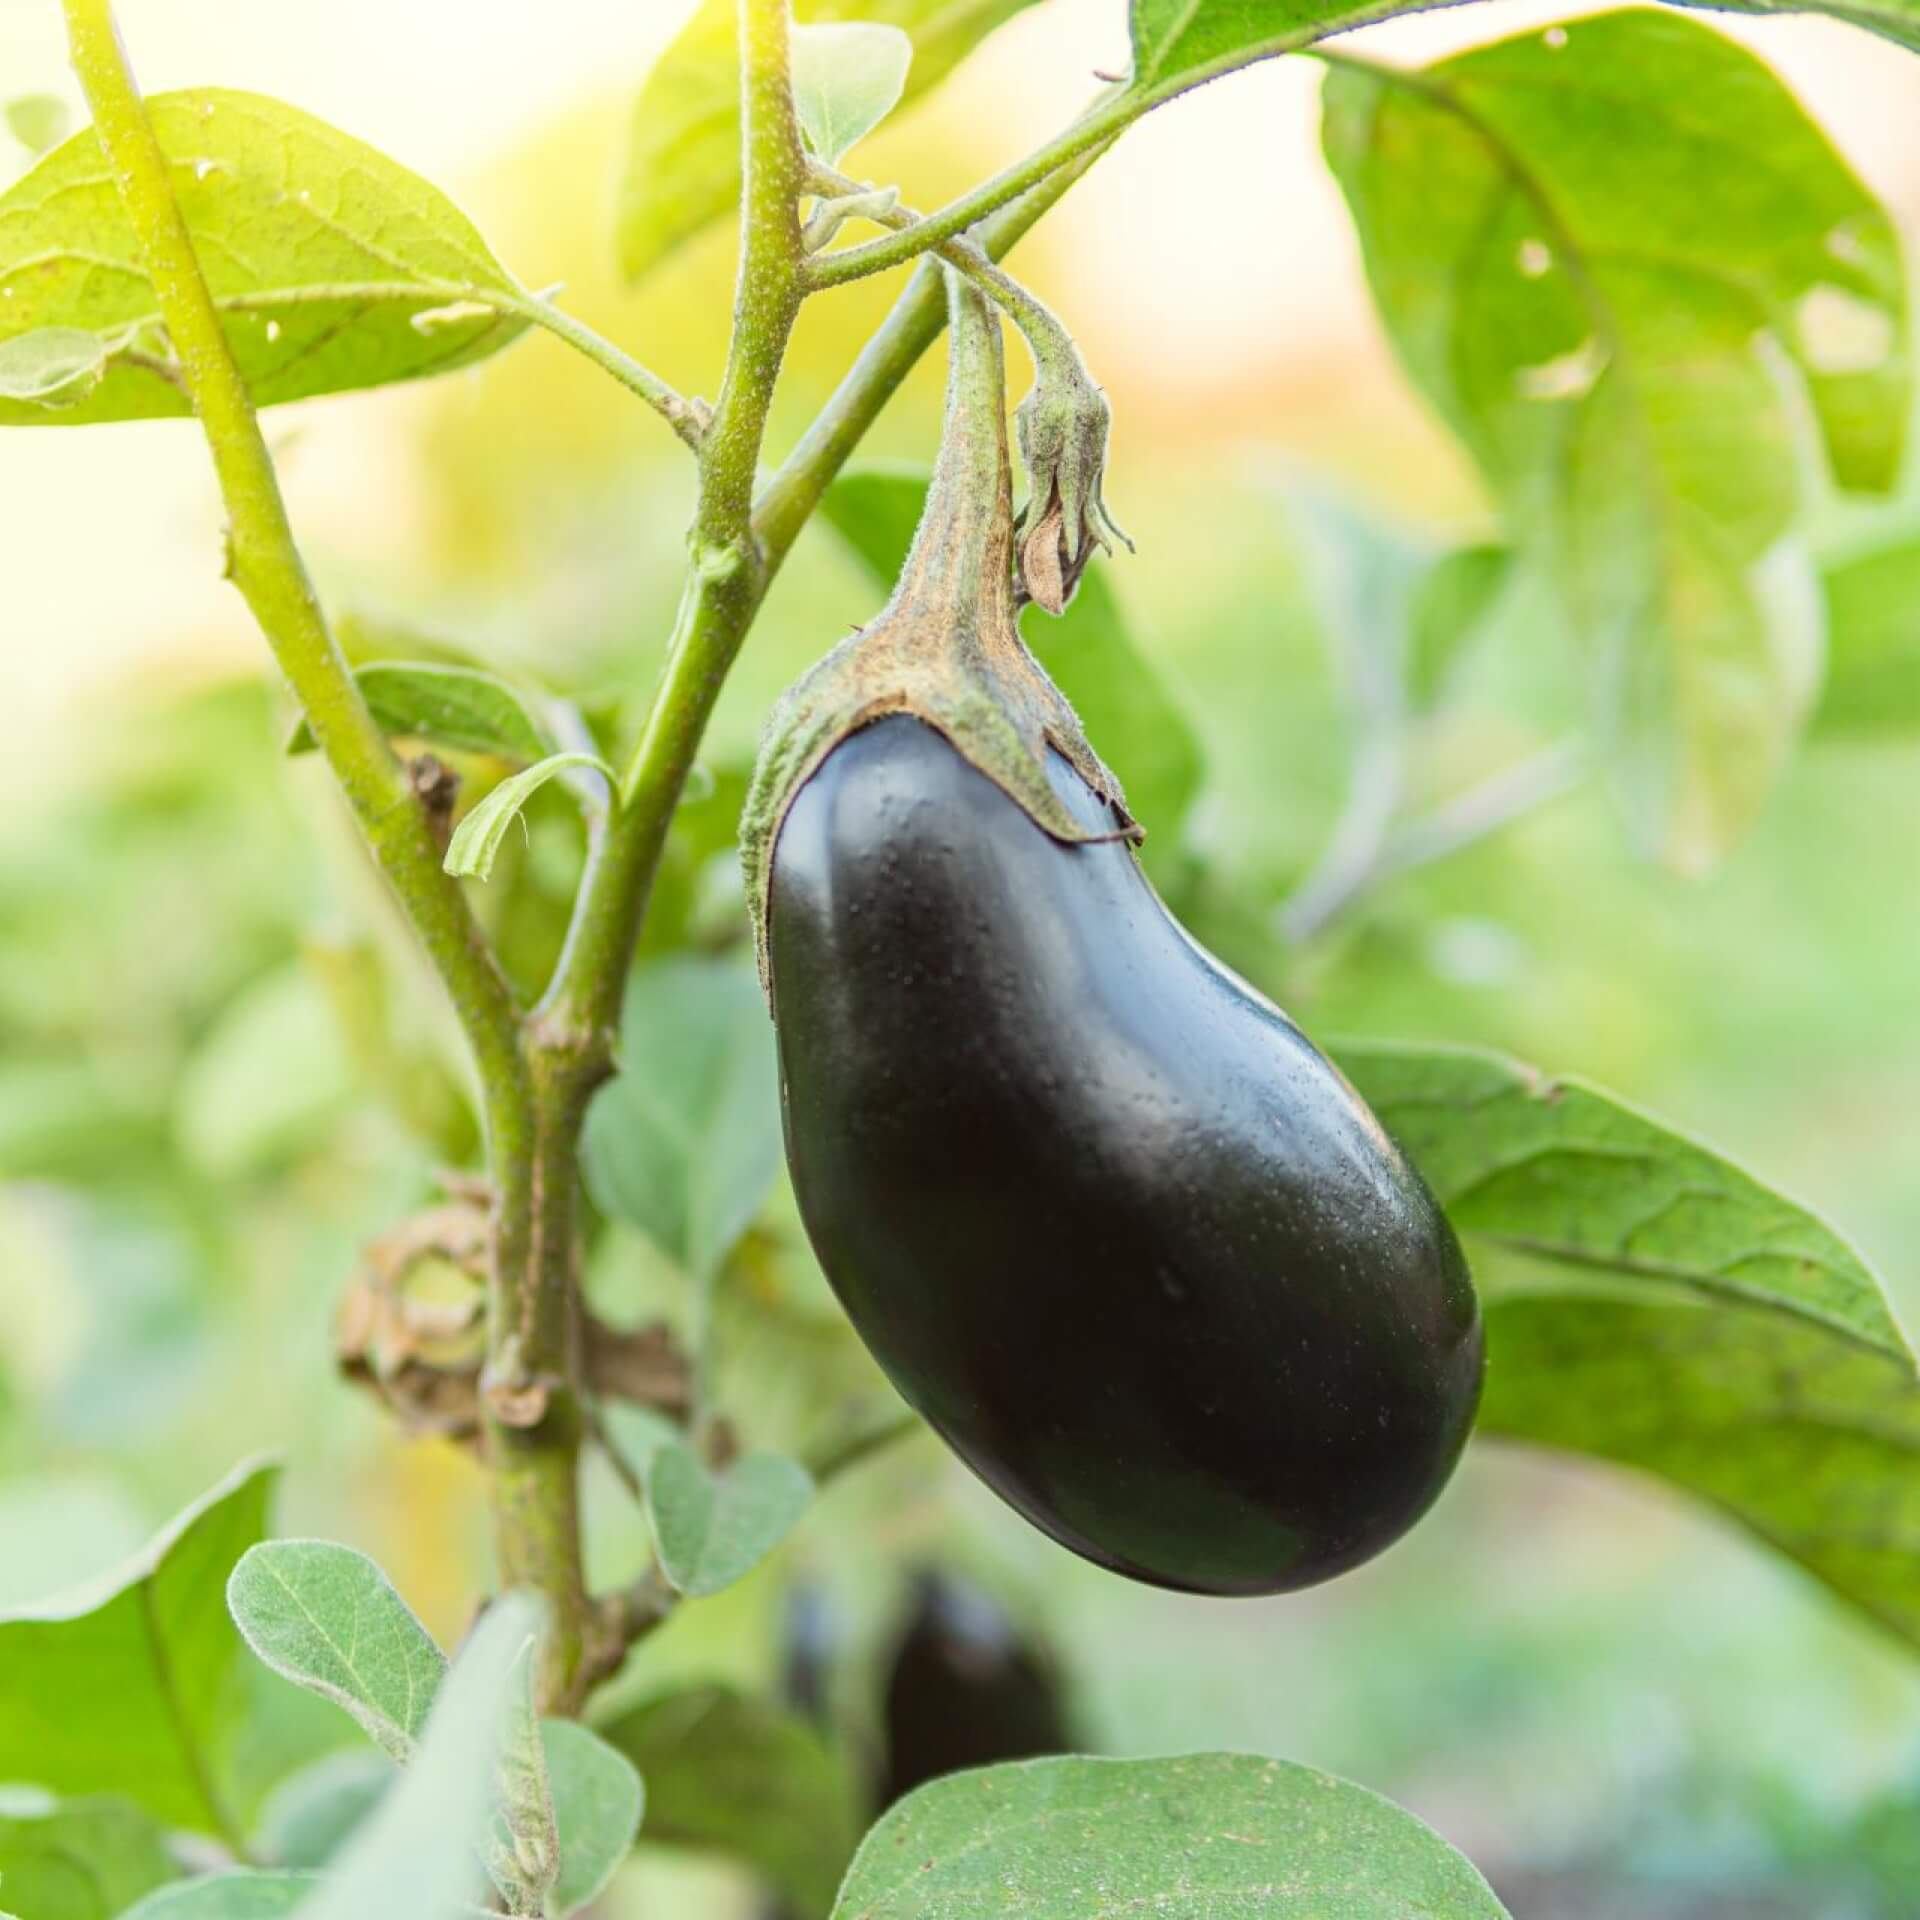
x: 333, y: 266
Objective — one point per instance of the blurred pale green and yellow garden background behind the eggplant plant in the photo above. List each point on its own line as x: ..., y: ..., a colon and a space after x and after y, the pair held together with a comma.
x: 222, y: 1072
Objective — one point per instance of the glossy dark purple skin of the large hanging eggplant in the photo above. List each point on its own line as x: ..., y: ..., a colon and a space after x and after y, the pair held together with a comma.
x: 1103, y: 1214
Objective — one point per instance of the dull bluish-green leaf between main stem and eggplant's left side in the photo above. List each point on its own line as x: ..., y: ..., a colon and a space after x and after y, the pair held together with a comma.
x: 686, y: 1145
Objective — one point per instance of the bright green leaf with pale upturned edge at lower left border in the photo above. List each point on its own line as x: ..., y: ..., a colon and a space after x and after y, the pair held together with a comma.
x: 133, y: 1689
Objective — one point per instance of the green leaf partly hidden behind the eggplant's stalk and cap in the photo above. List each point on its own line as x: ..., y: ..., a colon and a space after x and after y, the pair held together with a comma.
x: 1132, y: 717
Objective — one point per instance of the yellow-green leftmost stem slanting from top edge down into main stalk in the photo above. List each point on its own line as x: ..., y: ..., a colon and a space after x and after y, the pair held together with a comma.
x: 533, y: 1422
